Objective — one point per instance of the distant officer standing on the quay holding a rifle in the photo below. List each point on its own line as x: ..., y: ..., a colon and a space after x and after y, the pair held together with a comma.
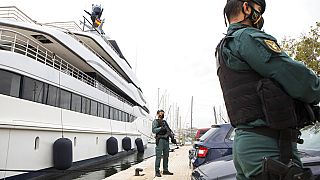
x: 160, y: 128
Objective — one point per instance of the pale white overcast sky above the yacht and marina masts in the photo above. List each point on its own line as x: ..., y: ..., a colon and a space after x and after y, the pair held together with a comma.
x: 170, y: 44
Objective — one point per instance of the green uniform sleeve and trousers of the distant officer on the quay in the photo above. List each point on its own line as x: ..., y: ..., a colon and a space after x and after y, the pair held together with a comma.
x: 162, y: 147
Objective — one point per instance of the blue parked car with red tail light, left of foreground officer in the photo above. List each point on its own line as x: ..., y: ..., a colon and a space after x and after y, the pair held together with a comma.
x: 215, y: 143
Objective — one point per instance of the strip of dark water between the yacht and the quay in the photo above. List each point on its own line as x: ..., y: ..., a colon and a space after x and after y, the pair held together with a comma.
x: 109, y: 168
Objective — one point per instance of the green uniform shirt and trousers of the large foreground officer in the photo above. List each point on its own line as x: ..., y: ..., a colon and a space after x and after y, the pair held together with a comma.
x: 251, y: 48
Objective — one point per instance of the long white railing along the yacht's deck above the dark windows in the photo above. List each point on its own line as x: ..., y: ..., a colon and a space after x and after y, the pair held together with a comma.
x: 16, y: 42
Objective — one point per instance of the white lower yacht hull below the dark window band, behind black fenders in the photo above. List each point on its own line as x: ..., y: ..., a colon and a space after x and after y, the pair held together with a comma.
x: 28, y: 131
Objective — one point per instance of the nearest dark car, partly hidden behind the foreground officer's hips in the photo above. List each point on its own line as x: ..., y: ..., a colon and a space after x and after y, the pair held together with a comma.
x: 223, y: 167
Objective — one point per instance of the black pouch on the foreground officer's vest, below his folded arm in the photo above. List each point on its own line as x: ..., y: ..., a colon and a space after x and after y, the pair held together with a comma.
x: 278, y: 107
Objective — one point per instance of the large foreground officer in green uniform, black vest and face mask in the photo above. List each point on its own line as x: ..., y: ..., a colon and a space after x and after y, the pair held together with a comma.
x: 262, y: 87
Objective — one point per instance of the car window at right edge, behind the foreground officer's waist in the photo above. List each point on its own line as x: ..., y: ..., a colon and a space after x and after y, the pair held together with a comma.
x: 311, y: 137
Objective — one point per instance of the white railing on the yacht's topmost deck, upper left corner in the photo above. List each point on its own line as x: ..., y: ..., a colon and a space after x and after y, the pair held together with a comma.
x: 12, y: 12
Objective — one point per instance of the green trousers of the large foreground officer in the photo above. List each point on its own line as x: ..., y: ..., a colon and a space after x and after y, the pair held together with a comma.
x: 250, y: 148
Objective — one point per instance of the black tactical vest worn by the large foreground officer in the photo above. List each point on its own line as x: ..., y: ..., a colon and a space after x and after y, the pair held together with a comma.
x: 249, y: 96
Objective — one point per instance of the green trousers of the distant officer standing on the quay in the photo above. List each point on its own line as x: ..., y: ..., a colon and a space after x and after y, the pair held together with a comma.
x: 162, y: 147
